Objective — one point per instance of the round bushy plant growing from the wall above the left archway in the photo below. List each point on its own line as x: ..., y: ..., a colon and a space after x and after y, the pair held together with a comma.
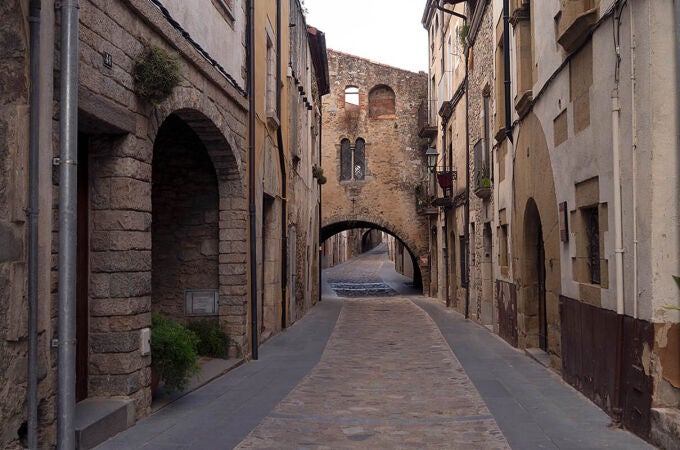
x: 156, y: 75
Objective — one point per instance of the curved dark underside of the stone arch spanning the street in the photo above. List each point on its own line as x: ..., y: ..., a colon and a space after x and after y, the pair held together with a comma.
x: 339, y: 224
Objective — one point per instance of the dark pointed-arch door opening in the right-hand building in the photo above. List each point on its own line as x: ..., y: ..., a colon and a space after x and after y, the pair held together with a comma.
x: 535, y: 316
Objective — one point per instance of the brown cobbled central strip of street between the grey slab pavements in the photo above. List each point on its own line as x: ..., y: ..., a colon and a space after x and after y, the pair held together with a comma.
x: 387, y: 379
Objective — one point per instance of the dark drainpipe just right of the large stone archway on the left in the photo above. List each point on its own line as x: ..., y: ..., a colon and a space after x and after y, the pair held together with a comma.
x: 251, y: 178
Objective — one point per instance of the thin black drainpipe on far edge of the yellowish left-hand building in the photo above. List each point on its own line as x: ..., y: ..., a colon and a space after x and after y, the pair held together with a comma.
x: 282, y: 163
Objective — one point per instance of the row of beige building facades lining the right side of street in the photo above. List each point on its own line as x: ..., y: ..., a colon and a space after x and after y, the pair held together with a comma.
x: 569, y: 255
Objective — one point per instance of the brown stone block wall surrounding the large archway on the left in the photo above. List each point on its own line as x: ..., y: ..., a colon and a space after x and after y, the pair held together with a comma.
x: 120, y: 192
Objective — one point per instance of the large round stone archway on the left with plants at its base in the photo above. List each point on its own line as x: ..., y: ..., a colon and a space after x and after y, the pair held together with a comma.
x: 199, y: 219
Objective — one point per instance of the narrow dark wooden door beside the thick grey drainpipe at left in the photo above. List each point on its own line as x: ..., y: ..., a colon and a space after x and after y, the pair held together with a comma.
x: 82, y: 271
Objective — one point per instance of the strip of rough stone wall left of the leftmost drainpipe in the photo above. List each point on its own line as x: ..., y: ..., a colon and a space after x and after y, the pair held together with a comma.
x: 13, y: 145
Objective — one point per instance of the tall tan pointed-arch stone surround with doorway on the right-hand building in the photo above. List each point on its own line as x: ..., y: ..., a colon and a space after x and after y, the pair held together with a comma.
x: 536, y: 243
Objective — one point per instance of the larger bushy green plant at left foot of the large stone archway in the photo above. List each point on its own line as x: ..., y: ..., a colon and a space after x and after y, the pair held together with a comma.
x: 173, y: 352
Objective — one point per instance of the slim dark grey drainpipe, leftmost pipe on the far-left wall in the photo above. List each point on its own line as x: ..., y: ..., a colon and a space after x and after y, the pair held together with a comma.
x: 32, y: 213
